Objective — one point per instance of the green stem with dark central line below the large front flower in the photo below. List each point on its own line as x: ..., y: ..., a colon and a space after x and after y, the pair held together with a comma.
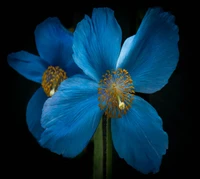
x: 102, y: 159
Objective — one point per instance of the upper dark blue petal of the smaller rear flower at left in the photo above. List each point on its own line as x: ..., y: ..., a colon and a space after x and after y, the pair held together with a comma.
x: 54, y: 44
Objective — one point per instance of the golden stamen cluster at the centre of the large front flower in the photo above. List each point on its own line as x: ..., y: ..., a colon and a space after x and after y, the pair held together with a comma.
x: 116, y: 92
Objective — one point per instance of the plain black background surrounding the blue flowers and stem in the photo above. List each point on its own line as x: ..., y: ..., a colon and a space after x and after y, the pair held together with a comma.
x: 23, y: 156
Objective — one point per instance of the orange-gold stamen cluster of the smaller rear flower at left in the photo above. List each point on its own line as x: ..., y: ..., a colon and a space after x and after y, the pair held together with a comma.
x: 52, y: 78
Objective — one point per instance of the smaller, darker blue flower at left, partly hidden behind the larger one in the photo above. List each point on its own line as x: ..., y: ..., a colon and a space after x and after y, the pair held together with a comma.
x: 53, y: 65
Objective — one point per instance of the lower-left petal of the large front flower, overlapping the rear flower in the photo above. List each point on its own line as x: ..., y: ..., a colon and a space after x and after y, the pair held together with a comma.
x: 70, y: 117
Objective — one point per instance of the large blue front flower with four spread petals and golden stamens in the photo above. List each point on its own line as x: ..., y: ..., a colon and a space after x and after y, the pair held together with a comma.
x: 143, y: 64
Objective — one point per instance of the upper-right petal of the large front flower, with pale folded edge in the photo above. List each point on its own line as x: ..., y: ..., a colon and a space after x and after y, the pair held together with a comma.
x: 152, y: 54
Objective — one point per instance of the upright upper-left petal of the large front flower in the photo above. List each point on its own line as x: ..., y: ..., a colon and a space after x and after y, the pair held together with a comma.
x: 97, y: 43
